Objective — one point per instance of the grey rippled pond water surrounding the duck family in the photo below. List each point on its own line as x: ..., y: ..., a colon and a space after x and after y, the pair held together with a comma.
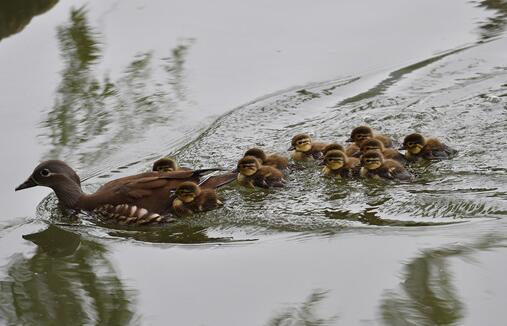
x: 109, y: 86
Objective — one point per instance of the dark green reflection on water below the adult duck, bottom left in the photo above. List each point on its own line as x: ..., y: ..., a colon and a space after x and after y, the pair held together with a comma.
x: 68, y: 281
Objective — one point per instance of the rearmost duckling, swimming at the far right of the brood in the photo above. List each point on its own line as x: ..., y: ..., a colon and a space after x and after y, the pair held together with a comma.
x: 418, y: 147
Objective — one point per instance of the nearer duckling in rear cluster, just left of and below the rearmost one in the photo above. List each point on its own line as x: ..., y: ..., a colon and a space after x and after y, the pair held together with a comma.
x: 373, y: 165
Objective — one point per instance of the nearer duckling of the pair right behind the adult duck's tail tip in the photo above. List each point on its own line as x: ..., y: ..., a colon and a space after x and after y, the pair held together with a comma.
x: 252, y: 173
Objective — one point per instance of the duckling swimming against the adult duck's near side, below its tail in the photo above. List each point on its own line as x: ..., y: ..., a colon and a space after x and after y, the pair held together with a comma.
x: 190, y: 198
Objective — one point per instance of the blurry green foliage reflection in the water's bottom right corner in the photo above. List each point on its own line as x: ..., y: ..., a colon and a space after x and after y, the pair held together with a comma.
x: 428, y: 295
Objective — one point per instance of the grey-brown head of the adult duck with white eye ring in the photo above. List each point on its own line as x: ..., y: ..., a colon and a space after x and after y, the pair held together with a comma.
x: 52, y: 174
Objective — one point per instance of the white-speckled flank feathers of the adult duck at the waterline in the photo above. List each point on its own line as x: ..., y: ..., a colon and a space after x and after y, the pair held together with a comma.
x: 126, y: 214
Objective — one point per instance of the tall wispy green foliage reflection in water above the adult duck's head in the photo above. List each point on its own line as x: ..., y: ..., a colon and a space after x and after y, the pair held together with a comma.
x: 92, y: 116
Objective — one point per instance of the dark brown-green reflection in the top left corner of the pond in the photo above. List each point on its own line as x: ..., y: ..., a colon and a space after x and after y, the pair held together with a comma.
x: 16, y: 15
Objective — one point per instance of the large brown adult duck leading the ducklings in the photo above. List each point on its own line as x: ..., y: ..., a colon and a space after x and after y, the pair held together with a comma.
x: 137, y: 199
